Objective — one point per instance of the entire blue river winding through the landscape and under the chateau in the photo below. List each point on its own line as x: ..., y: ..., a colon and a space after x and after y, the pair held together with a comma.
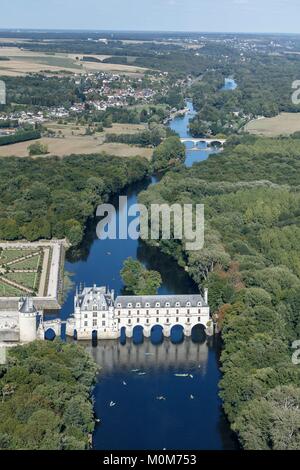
x: 190, y: 416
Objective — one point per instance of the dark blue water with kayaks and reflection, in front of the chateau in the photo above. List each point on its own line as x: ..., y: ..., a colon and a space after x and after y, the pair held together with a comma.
x: 155, y: 408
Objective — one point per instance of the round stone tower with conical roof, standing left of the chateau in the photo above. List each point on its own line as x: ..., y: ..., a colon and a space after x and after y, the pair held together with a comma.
x: 27, y: 321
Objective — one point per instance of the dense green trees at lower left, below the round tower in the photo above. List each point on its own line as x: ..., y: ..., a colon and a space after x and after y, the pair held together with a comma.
x: 46, y: 400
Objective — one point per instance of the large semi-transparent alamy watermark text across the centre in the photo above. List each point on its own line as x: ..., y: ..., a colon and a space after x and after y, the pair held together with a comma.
x: 160, y: 222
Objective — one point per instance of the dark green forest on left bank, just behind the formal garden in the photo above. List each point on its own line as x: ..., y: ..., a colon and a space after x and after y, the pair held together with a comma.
x: 54, y: 197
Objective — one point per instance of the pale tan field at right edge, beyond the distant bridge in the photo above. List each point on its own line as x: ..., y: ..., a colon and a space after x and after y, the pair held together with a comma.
x: 283, y: 124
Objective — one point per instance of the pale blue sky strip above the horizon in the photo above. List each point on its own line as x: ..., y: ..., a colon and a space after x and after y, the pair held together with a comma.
x: 263, y: 16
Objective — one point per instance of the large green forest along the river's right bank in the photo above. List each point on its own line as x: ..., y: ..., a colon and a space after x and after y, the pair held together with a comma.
x: 251, y: 264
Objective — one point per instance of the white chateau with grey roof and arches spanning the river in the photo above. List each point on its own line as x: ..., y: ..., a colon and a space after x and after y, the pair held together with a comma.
x: 98, y: 314
